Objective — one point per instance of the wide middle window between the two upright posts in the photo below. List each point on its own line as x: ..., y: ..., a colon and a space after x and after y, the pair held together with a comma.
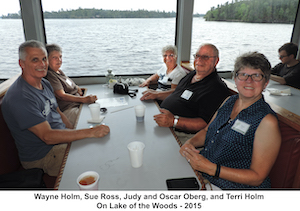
x: 126, y: 45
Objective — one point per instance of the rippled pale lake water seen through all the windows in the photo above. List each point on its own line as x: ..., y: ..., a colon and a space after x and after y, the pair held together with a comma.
x: 92, y: 46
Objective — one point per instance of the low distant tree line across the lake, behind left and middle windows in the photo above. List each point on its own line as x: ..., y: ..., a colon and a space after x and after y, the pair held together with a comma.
x: 100, y: 13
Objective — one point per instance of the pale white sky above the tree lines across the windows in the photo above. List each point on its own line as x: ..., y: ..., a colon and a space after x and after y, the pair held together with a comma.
x: 200, y: 6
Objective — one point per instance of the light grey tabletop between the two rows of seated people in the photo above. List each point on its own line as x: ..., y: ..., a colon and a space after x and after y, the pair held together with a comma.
x: 109, y: 155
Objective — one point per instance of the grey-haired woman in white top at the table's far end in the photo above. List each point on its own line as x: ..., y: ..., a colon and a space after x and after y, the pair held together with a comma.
x: 169, y: 75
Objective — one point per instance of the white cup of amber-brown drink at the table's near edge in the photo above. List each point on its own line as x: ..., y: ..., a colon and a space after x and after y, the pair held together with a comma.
x: 85, y: 176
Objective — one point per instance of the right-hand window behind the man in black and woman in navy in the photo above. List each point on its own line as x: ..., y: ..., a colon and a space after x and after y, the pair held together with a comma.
x: 234, y: 38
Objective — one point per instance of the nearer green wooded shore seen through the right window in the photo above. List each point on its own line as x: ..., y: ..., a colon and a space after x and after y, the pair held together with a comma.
x: 255, y: 11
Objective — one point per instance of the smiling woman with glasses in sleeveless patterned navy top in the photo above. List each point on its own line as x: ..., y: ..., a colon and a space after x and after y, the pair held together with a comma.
x: 242, y: 141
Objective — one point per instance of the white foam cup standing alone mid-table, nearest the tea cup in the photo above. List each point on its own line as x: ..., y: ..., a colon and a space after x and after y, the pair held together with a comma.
x: 136, y: 151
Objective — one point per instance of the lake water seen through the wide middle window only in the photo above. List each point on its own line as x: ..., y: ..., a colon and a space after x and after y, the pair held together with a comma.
x: 127, y: 46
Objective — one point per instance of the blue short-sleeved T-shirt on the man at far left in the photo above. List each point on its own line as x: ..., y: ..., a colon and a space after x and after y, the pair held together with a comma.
x: 25, y: 106
